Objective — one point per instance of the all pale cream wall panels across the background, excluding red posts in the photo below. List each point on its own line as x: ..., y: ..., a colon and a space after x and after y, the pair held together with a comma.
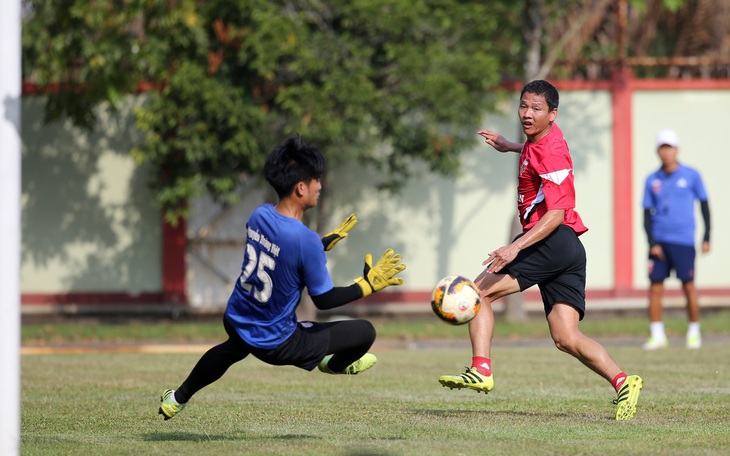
x: 89, y: 223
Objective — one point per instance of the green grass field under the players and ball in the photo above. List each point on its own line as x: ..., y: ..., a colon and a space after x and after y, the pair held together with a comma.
x: 544, y: 402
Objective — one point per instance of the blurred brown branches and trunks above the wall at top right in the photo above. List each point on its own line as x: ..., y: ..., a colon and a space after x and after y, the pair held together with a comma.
x: 655, y: 38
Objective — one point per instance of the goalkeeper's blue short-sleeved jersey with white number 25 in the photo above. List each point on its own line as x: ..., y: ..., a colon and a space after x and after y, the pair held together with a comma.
x: 282, y: 257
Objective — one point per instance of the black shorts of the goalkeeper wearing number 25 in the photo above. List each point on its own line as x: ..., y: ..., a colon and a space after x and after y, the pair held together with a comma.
x: 306, y: 347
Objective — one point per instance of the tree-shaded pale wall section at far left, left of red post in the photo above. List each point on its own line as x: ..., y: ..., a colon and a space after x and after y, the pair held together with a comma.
x: 89, y: 222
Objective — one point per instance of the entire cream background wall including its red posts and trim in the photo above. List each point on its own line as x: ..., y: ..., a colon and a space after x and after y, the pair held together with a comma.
x: 93, y: 239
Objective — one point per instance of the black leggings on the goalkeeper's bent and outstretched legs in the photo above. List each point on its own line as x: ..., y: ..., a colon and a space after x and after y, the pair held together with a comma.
x: 349, y: 340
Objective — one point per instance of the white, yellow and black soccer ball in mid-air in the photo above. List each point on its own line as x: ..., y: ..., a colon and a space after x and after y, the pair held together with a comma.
x: 455, y: 300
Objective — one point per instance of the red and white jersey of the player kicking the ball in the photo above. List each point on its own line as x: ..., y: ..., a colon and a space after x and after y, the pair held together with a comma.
x: 546, y: 181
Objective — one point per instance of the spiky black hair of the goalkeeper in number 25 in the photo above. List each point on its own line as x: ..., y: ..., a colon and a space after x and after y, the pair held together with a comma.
x: 291, y: 162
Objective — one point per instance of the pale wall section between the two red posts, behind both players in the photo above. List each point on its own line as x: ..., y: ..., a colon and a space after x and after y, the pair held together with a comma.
x: 440, y: 225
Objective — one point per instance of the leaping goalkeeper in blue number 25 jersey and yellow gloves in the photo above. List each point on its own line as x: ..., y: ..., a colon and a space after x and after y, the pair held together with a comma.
x: 281, y: 258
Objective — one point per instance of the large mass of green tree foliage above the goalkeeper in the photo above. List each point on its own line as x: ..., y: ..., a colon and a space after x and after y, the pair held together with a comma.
x: 385, y: 82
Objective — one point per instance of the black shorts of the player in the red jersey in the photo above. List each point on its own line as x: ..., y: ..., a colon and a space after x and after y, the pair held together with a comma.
x: 557, y: 265
